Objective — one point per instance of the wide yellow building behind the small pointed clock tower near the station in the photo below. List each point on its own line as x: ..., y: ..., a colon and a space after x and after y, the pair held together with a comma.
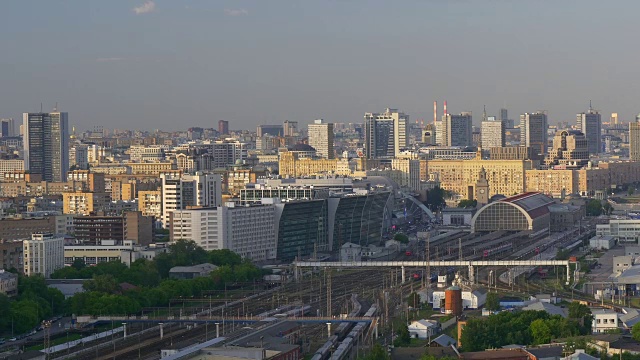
x: 506, y: 177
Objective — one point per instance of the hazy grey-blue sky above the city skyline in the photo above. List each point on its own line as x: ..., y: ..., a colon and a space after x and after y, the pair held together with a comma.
x: 173, y: 64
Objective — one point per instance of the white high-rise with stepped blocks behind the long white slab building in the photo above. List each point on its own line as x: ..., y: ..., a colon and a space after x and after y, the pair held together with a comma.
x: 178, y: 192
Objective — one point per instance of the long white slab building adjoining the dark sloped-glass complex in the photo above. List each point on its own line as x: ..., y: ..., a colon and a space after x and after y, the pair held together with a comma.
x: 248, y: 231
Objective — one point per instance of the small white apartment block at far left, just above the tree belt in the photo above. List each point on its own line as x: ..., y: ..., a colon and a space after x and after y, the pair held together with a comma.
x: 43, y: 254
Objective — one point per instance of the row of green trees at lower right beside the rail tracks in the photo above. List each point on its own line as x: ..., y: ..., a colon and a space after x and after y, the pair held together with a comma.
x: 524, y: 327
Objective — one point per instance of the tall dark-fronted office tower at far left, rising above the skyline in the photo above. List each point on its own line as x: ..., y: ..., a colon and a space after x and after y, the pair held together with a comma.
x: 46, y: 145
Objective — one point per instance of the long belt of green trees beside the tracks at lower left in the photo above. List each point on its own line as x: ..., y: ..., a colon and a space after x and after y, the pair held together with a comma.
x: 109, y: 290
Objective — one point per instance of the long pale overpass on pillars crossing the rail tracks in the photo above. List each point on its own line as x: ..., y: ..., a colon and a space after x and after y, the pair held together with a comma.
x: 297, y: 265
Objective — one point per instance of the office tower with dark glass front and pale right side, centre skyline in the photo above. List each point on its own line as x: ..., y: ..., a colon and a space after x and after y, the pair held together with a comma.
x: 385, y: 133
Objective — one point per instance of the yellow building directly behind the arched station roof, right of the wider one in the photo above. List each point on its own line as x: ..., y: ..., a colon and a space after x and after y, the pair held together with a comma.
x: 552, y: 182
